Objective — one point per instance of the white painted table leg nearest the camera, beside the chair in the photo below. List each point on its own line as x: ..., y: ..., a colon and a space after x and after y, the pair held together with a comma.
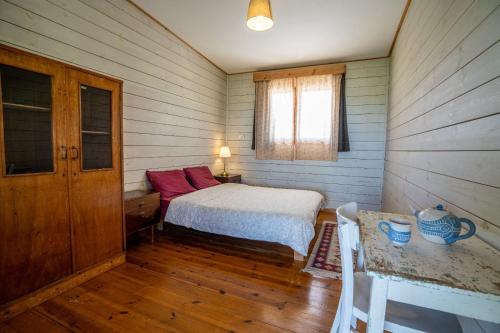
x: 378, y: 301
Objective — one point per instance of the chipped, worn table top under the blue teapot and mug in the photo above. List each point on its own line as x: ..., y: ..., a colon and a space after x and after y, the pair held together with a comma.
x: 468, y: 265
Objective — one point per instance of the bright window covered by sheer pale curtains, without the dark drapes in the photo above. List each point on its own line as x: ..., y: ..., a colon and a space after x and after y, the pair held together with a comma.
x: 297, y: 117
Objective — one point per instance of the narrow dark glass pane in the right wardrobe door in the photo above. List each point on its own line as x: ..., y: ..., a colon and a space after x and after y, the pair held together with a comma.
x: 96, y: 128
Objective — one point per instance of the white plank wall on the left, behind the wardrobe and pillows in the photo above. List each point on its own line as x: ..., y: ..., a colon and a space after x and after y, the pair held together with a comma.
x: 174, y: 100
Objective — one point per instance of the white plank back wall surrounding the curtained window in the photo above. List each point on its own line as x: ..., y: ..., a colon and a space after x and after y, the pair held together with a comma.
x: 357, y: 175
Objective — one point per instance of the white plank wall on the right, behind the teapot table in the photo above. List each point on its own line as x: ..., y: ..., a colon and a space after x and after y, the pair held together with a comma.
x: 443, y: 143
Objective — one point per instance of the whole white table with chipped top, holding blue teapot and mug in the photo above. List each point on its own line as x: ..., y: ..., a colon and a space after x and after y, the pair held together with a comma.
x: 462, y: 278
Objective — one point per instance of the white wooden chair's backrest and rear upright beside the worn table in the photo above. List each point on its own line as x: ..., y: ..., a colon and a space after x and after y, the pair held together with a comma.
x: 348, y: 233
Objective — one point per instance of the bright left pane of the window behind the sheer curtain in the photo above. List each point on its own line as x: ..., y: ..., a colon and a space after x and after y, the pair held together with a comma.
x: 281, y: 111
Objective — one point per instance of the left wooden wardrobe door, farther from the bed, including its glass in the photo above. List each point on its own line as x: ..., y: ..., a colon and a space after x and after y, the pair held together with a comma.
x: 35, y: 242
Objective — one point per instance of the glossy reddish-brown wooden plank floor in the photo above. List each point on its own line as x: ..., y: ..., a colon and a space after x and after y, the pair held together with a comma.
x: 189, y: 281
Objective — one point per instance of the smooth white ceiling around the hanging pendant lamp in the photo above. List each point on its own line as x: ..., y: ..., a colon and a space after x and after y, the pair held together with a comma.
x: 305, y: 32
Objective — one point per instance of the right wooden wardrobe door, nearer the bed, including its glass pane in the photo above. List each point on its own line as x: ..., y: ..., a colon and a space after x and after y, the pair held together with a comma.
x: 95, y: 164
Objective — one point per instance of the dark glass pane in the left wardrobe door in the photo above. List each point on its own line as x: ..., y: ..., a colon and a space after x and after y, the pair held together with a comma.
x: 27, y: 121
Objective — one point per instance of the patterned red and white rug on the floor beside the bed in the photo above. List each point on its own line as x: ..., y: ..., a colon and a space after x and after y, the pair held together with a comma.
x: 325, y: 257
